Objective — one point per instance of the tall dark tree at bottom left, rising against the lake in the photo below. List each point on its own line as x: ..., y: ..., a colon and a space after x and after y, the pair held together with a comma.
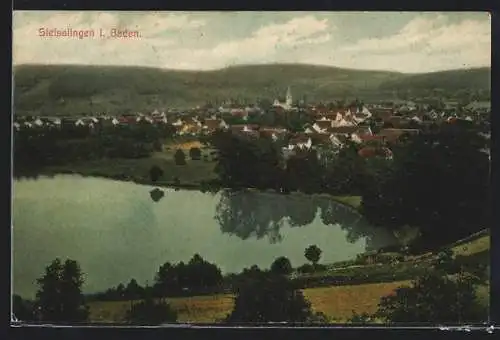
x: 60, y: 297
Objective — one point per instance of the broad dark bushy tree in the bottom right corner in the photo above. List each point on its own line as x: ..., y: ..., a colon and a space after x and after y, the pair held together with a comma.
x: 434, y: 298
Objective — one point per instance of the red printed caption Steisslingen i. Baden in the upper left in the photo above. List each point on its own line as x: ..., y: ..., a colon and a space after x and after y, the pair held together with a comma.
x: 68, y: 33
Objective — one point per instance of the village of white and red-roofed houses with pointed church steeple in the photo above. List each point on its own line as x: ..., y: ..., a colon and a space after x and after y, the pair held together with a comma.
x: 321, y: 127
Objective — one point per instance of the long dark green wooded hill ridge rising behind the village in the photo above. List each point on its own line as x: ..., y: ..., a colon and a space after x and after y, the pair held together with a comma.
x: 73, y: 89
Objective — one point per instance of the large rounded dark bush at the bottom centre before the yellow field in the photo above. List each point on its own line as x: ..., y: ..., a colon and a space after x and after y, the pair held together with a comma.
x: 266, y: 297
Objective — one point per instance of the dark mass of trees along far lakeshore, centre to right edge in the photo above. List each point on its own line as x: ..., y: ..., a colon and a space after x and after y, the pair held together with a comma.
x: 437, y: 181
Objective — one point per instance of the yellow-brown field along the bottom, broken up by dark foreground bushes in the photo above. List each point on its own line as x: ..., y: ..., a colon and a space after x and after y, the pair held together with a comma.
x: 337, y: 303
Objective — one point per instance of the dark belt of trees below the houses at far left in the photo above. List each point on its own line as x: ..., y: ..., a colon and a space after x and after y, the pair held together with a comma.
x: 38, y: 147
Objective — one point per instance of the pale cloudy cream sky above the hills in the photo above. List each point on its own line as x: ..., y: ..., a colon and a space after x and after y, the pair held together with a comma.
x: 410, y: 42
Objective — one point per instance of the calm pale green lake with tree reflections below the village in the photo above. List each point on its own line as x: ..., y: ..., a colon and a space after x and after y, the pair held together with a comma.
x: 120, y: 230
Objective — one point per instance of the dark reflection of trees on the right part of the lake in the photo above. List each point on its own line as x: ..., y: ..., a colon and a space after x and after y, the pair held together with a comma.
x: 253, y: 214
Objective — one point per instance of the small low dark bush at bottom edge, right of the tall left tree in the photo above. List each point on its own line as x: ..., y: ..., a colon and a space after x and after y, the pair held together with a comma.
x: 151, y: 312
